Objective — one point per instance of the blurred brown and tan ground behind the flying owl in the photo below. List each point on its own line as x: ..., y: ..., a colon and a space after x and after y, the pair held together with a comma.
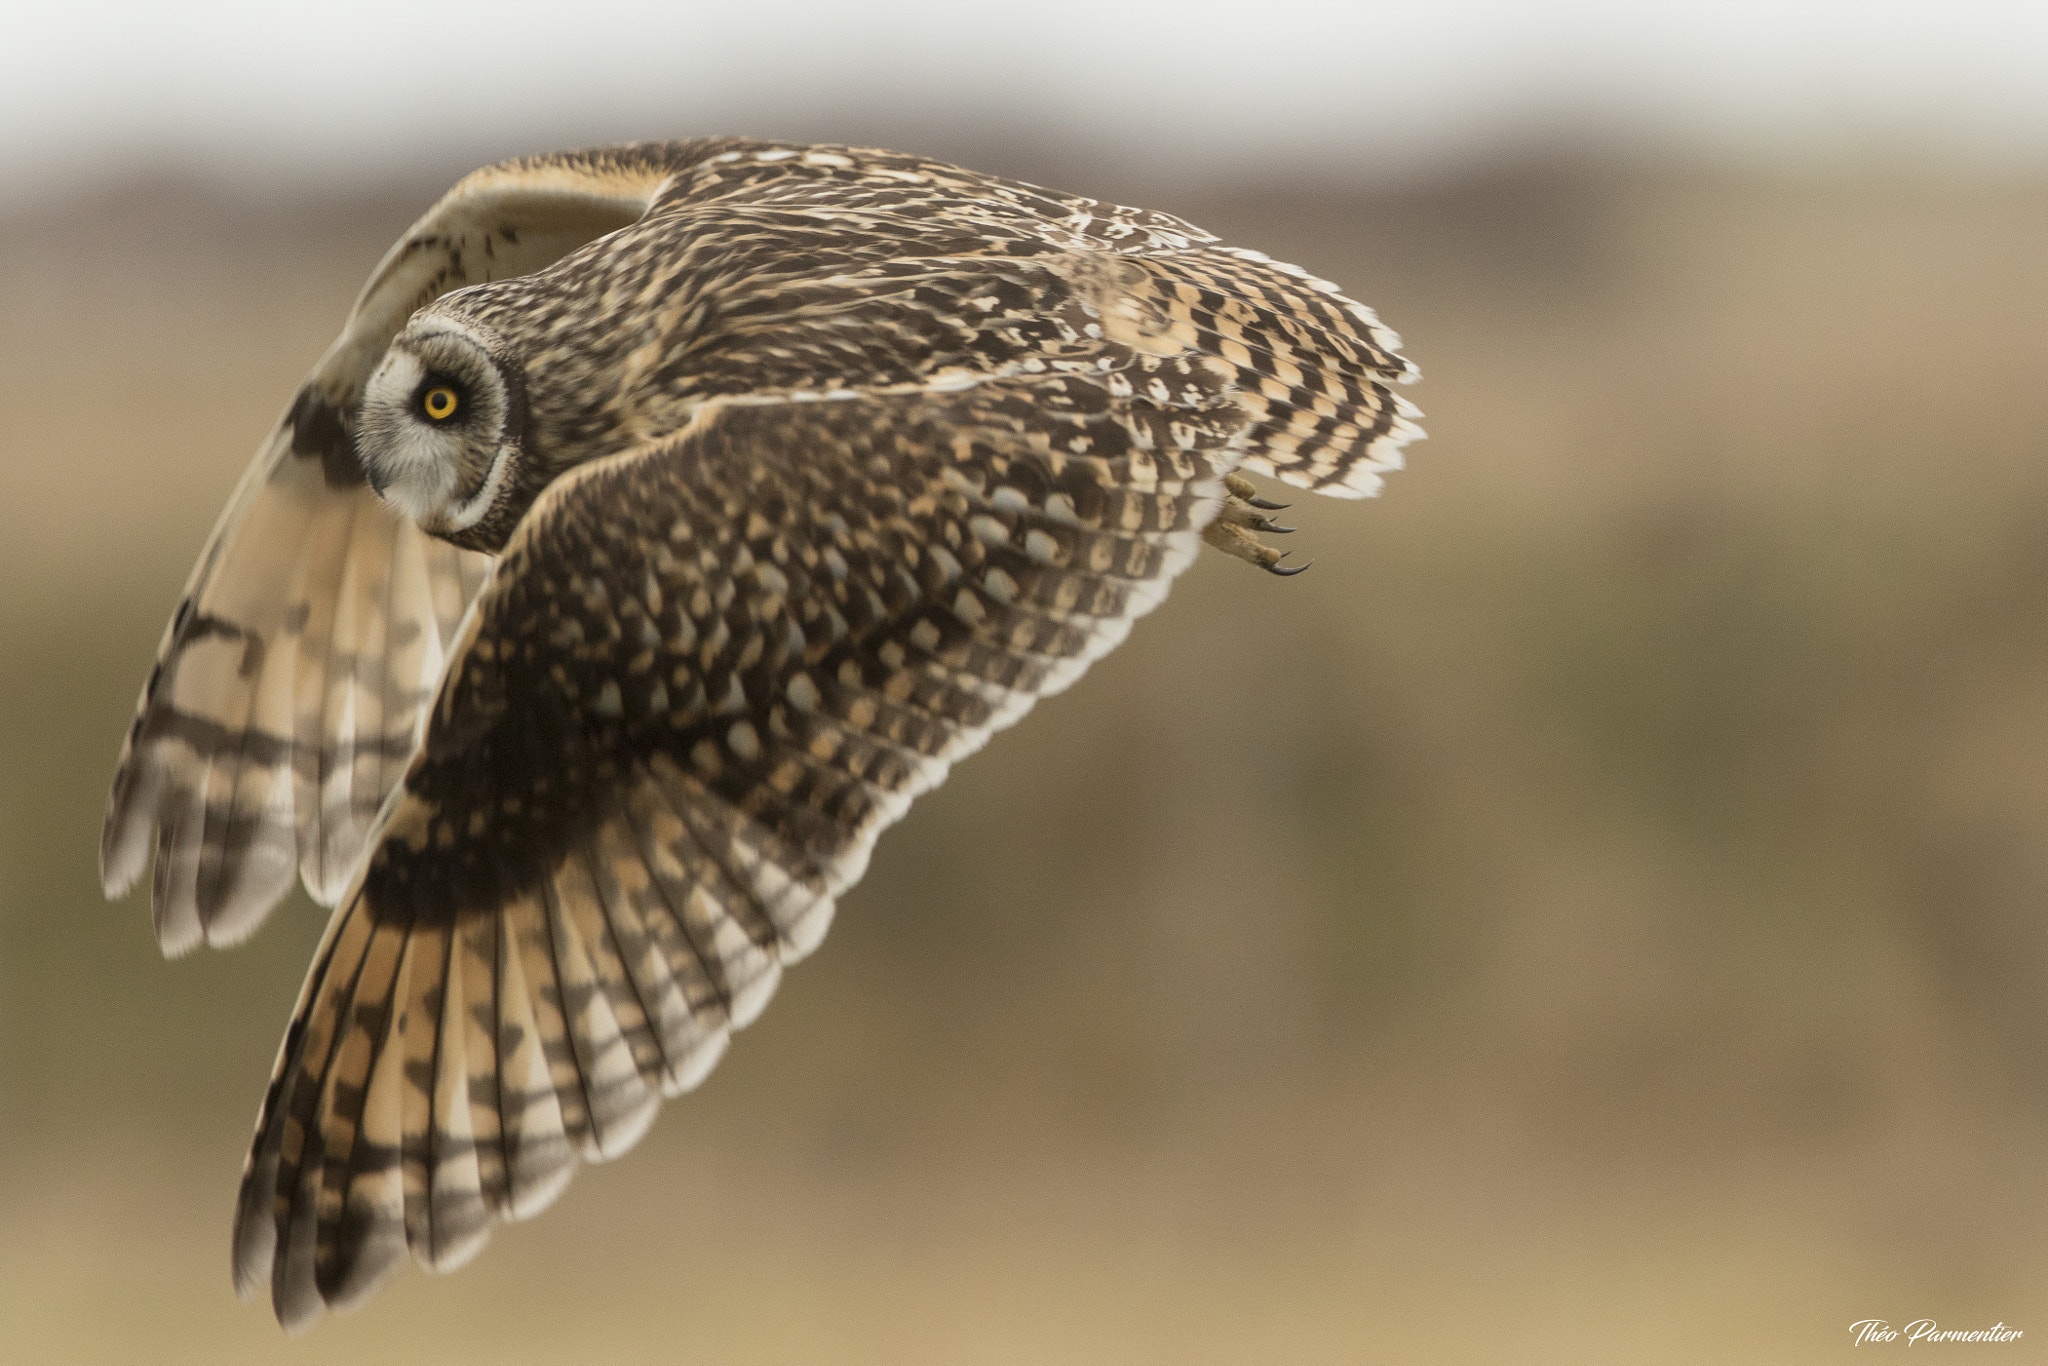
x: 1596, y: 916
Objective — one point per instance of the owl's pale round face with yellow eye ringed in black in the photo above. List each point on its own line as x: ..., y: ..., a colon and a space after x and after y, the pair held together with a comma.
x: 441, y: 431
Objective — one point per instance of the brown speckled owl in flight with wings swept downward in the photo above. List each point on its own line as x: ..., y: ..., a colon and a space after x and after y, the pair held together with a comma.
x: 665, y: 521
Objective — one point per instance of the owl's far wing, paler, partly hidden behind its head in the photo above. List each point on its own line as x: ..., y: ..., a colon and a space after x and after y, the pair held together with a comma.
x: 290, y: 685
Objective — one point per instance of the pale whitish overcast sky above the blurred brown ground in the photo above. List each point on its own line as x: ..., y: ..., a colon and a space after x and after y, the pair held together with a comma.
x: 355, y: 89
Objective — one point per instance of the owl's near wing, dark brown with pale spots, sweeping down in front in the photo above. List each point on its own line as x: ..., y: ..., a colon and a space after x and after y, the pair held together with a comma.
x: 706, y: 677
